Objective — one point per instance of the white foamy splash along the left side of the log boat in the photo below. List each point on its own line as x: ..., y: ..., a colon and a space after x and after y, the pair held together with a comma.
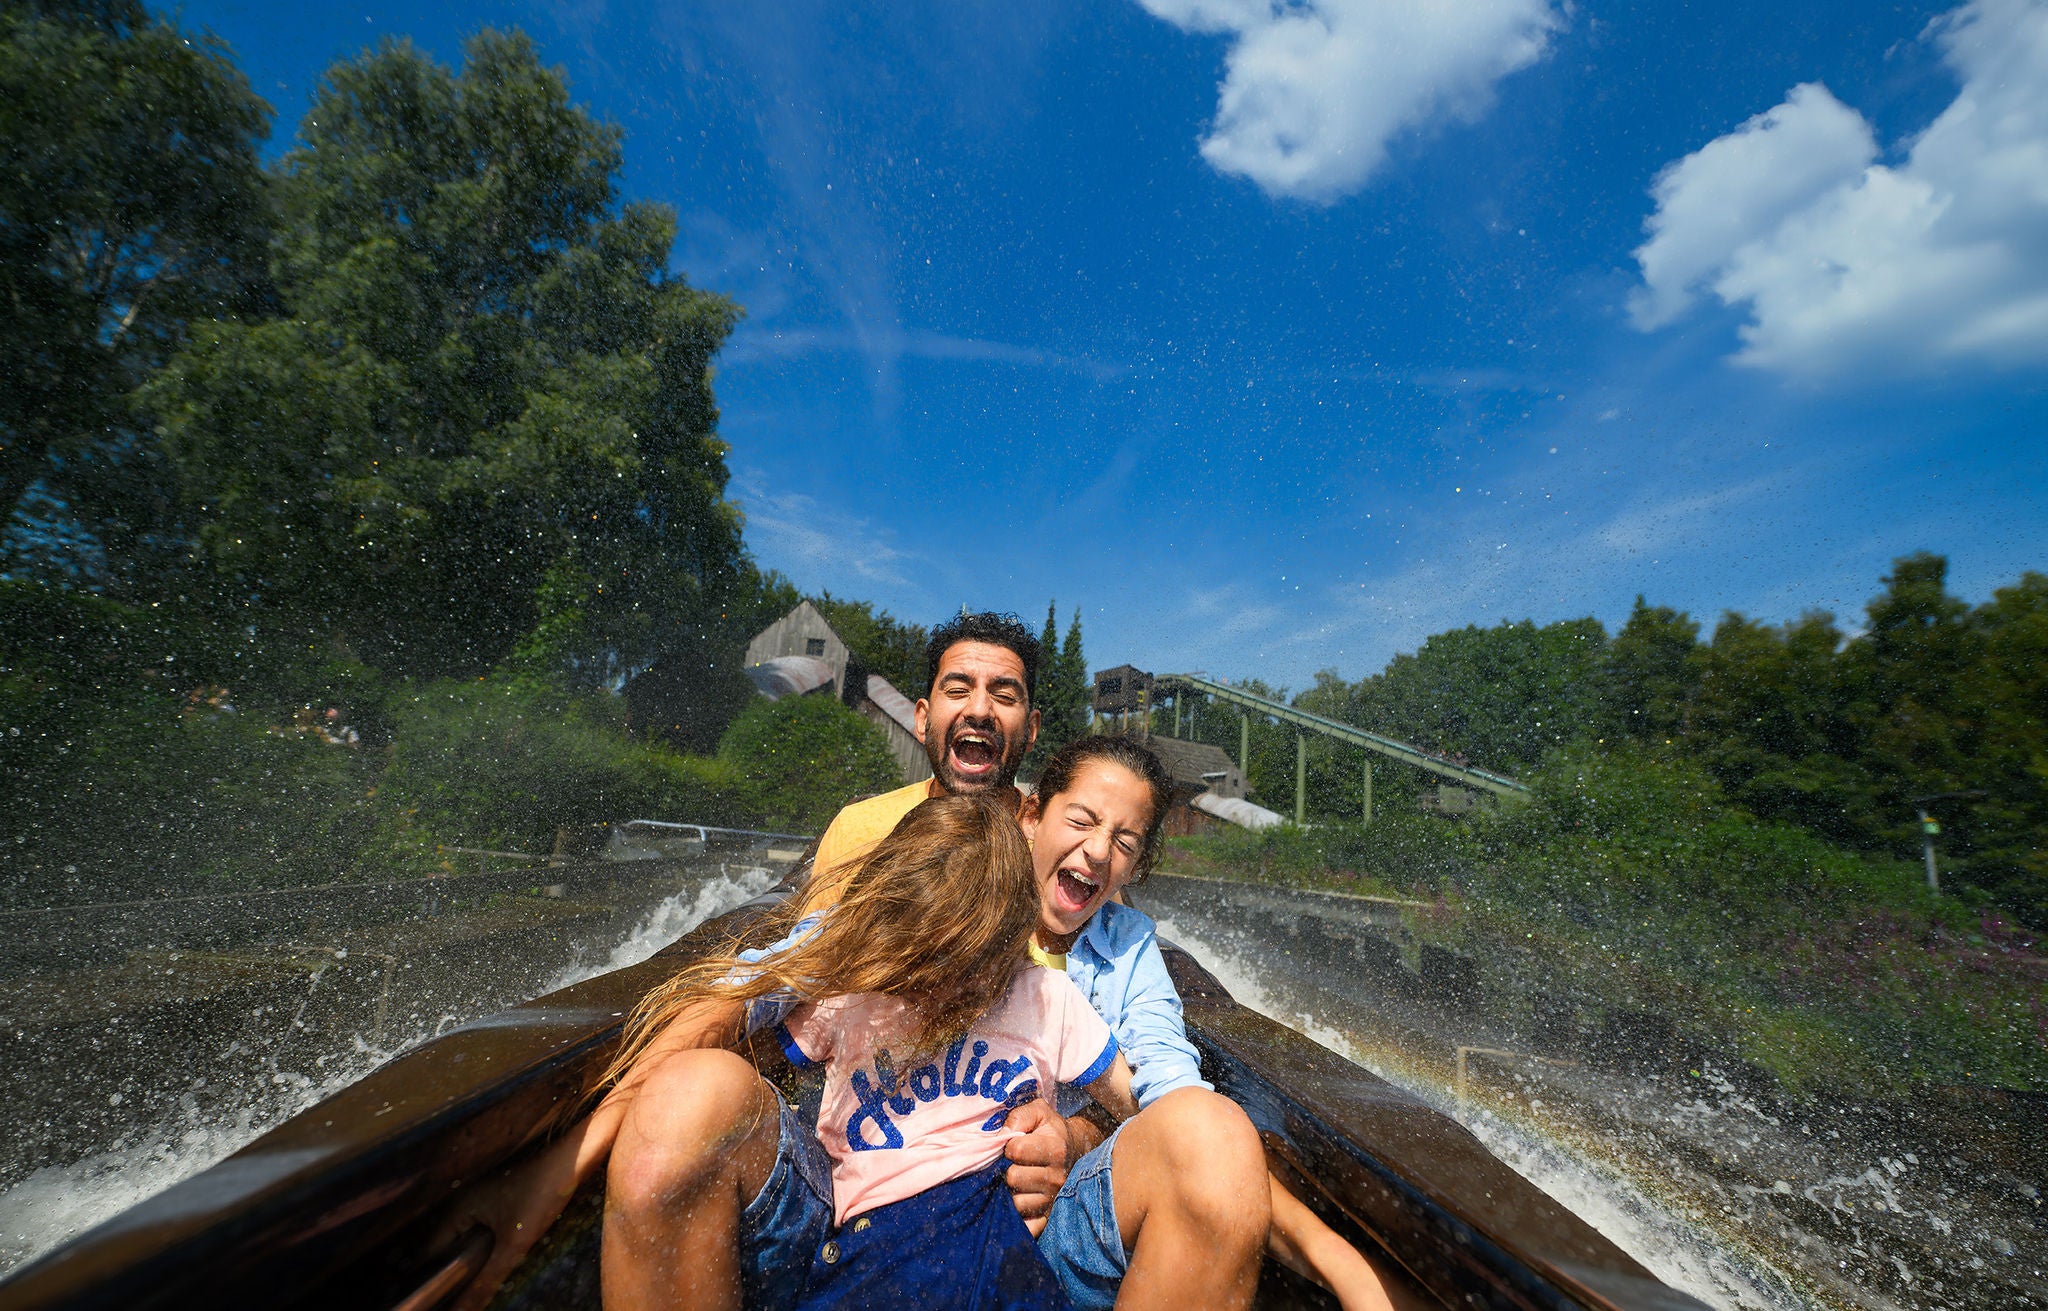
x: 58, y: 1203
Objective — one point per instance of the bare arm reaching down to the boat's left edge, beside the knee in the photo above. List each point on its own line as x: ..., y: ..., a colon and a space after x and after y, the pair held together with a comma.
x: 521, y: 1203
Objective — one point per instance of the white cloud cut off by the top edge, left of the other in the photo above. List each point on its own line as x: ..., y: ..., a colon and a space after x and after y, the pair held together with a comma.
x: 1316, y: 89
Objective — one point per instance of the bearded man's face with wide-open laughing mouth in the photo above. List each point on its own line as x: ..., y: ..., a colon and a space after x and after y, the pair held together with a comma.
x: 976, y: 722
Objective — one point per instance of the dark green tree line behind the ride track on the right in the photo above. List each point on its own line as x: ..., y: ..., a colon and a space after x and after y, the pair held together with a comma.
x: 1797, y: 724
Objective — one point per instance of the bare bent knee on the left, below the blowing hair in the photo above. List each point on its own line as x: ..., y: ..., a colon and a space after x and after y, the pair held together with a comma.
x: 695, y: 1148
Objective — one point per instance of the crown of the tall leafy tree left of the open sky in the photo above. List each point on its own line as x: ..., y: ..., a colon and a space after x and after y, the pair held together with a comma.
x: 488, y: 390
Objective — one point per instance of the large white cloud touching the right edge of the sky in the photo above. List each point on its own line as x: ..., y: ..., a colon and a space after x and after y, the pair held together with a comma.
x: 1850, y: 265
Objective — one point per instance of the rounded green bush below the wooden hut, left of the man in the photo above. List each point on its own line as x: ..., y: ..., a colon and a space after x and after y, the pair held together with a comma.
x: 806, y: 757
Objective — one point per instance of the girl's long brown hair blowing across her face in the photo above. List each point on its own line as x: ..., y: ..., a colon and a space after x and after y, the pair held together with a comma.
x: 939, y: 915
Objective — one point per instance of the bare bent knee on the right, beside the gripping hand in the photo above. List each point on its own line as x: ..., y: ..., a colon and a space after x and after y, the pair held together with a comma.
x: 1193, y: 1203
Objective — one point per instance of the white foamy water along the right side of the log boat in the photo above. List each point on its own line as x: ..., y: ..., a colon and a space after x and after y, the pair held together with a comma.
x: 1670, y: 1244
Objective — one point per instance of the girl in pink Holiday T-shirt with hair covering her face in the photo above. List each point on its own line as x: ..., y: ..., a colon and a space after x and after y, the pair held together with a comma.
x: 916, y: 997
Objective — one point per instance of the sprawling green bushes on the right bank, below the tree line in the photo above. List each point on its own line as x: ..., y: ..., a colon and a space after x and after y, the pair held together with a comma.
x: 1834, y: 970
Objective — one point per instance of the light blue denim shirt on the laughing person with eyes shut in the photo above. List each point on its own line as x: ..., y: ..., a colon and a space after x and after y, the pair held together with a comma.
x: 1117, y: 966
